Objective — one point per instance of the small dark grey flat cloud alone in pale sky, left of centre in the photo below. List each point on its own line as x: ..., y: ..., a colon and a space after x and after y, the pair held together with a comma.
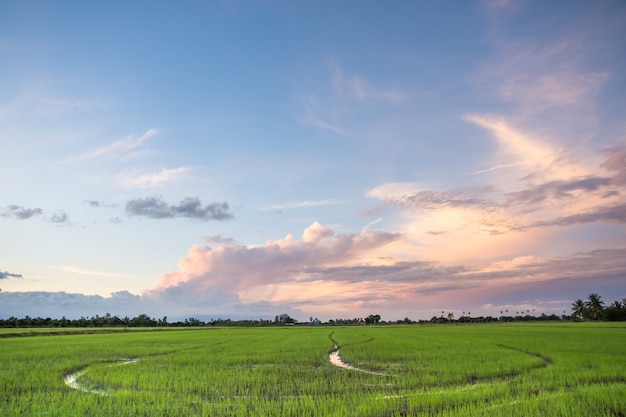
x: 189, y: 207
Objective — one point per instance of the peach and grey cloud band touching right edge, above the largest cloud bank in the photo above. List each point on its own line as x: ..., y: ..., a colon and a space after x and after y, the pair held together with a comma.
x: 598, y: 196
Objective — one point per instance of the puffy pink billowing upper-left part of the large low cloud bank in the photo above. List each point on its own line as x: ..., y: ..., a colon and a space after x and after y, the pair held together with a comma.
x: 240, y: 268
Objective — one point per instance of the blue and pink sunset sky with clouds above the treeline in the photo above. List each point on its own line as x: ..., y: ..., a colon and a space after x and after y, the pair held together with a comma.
x: 243, y: 159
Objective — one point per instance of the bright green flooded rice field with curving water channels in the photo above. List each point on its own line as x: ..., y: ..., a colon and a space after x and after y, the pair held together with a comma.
x: 565, y: 369
